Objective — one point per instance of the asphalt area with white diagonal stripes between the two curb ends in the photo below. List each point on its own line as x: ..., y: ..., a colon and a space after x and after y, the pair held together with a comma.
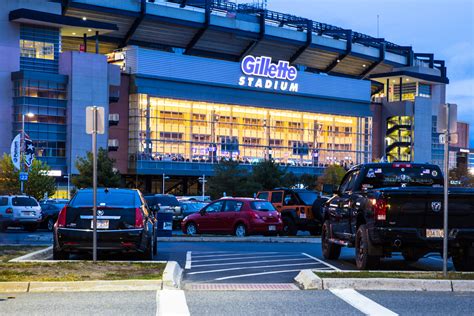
x: 248, y: 267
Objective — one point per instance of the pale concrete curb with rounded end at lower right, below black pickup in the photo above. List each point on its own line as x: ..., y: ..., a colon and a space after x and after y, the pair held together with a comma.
x: 307, y: 280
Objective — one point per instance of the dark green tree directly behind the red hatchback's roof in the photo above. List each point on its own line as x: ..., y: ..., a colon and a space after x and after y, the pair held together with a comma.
x: 229, y: 178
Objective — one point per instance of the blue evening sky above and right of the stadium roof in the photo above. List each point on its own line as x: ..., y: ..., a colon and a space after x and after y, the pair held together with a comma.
x: 442, y: 27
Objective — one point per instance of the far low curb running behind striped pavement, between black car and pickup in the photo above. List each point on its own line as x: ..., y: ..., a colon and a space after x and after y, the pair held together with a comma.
x: 312, y: 240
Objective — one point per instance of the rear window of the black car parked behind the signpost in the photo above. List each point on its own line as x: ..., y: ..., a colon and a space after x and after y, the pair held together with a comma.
x: 113, y: 199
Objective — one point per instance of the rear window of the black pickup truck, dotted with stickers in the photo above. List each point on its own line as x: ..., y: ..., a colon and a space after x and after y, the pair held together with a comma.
x: 402, y: 176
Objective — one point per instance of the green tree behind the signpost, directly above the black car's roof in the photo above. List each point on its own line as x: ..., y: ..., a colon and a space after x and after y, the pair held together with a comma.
x: 107, y: 177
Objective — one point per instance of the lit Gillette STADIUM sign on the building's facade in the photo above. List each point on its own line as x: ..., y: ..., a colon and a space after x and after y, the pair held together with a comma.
x: 261, y: 72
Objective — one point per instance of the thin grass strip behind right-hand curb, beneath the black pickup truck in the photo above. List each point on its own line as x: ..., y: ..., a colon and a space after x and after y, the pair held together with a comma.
x: 398, y: 275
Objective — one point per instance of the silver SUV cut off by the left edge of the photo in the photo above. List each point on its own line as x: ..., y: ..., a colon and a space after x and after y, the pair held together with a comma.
x: 19, y: 210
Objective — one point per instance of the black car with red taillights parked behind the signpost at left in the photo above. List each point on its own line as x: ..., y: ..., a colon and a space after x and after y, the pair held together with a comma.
x: 124, y: 224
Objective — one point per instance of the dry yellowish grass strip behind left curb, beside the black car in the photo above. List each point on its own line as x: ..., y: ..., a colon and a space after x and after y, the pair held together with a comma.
x: 72, y: 271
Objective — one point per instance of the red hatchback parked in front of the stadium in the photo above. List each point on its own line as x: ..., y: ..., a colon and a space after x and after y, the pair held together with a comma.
x: 239, y: 216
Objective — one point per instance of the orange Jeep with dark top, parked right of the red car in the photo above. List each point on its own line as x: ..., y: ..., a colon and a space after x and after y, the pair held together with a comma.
x: 296, y: 208
